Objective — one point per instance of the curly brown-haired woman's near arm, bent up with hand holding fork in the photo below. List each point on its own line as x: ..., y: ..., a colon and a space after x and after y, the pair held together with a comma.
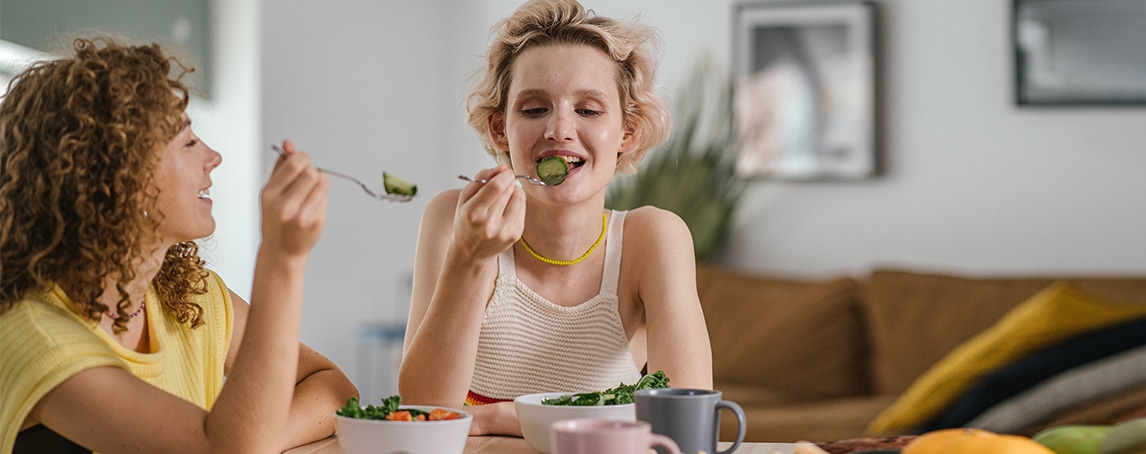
x: 109, y: 410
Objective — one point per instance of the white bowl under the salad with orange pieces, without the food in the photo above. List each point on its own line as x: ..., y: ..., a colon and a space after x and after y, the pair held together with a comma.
x: 407, y: 437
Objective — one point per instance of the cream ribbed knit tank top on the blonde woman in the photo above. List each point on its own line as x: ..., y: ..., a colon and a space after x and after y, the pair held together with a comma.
x: 529, y: 345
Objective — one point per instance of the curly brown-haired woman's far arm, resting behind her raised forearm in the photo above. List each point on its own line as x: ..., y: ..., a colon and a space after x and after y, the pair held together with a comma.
x: 320, y: 388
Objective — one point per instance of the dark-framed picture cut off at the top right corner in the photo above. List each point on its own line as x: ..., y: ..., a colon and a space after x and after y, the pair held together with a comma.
x: 1080, y: 52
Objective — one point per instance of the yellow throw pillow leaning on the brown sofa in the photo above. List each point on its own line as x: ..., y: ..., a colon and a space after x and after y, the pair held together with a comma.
x: 1055, y: 314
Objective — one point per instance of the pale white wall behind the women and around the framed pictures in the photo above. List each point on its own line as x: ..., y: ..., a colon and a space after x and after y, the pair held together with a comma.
x: 974, y: 184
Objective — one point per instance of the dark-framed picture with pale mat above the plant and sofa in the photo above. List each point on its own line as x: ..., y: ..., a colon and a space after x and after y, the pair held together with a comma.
x: 806, y: 90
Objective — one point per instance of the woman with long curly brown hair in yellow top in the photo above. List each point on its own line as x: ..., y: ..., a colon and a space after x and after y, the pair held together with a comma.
x: 114, y: 336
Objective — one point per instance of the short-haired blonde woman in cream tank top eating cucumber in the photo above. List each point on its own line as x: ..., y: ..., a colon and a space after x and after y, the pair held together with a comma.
x: 523, y: 289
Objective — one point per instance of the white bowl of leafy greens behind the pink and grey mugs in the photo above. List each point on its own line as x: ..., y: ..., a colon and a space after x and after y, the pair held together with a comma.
x: 537, y: 413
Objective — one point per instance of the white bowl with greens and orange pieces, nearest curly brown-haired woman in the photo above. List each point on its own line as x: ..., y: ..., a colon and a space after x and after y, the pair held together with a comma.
x: 395, y: 428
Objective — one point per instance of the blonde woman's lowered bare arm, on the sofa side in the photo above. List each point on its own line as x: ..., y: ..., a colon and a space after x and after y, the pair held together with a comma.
x: 660, y: 249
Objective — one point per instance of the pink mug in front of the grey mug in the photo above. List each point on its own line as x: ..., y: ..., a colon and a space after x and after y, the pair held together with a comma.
x: 606, y: 437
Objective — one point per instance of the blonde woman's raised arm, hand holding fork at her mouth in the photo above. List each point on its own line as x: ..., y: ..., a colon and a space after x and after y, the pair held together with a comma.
x: 454, y: 271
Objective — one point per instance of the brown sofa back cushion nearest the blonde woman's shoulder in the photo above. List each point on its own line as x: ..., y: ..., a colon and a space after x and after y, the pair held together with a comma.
x: 800, y: 339
